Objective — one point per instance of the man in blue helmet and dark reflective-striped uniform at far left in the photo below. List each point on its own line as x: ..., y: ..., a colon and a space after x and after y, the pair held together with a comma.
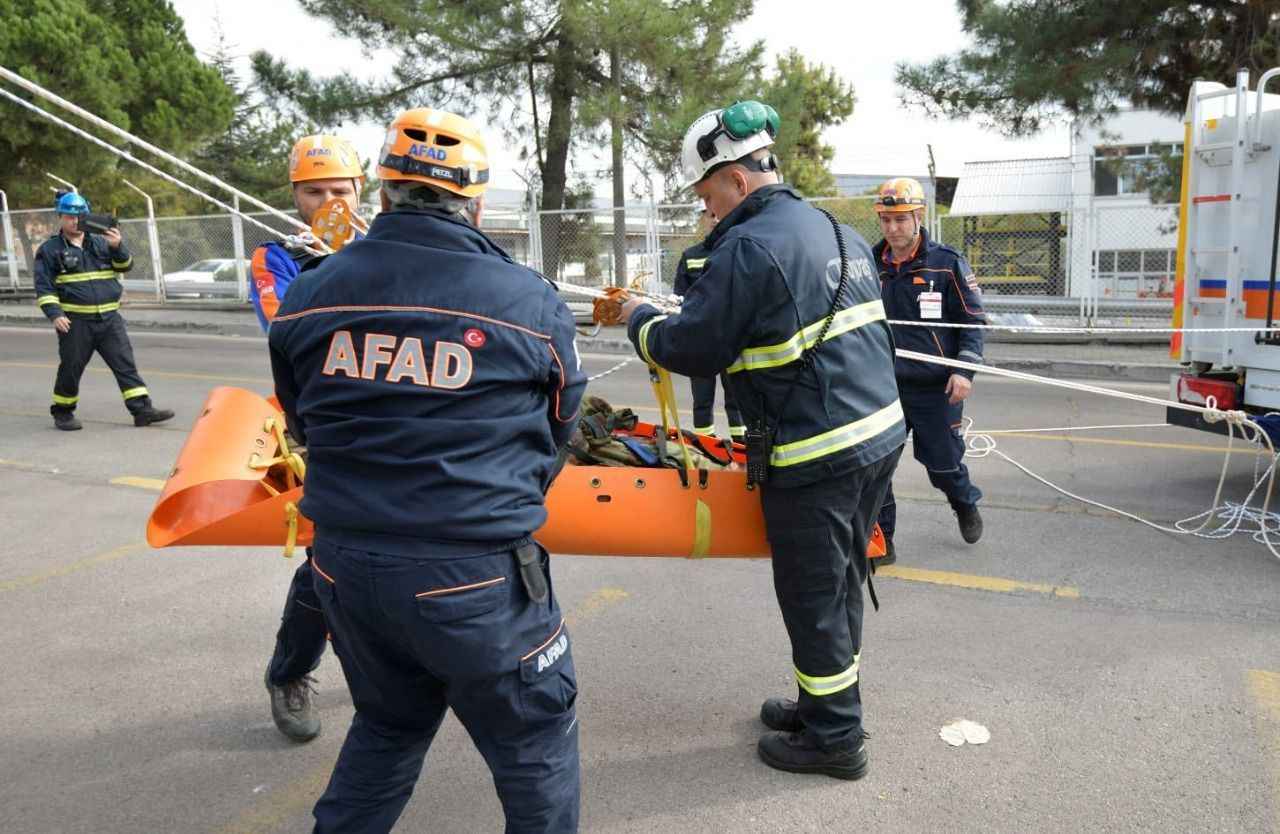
x: 79, y: 288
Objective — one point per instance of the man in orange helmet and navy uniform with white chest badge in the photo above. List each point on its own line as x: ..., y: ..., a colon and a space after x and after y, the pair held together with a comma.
x: 924, y: 281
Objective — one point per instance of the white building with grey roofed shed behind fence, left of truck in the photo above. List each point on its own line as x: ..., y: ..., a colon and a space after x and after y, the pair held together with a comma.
x: 1055, y: 226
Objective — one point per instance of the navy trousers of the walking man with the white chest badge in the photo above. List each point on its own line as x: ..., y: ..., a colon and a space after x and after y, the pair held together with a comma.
x: 938, y: 438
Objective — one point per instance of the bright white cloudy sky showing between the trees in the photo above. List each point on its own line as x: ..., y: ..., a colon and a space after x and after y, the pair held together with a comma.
x: 862, y: 45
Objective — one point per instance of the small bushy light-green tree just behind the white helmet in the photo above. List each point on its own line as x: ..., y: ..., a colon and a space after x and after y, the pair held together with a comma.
x: 808, y: 99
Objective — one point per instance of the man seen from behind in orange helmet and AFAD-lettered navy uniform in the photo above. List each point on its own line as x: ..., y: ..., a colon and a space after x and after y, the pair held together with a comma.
x: 433, y: 382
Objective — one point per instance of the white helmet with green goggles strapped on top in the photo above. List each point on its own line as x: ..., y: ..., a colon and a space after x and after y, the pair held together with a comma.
x: 728, y: 136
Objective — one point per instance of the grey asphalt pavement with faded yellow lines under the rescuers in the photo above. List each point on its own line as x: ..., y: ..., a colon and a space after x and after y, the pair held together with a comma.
x: 1131, y: 679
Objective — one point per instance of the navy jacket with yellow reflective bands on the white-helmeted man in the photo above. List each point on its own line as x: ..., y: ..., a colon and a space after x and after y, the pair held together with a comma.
x: 764, y: 296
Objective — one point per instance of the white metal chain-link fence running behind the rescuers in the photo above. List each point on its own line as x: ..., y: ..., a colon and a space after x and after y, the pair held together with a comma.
x: 1098, y: 265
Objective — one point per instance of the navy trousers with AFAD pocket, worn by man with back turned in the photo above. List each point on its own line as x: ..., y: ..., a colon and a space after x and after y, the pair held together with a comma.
x: 419, y: 636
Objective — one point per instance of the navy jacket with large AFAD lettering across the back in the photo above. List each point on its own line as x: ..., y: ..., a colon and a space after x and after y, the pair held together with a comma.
x: 433, y: 382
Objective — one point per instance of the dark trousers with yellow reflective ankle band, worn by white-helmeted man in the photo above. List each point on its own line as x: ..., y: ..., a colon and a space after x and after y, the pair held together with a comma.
x: 819, y: 535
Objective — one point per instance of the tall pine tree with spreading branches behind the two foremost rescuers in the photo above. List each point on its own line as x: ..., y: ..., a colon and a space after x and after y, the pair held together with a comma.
x: 540, y: 67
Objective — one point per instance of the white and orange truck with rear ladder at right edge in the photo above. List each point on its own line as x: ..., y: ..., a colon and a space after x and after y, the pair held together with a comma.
x: 1228, y: 237
